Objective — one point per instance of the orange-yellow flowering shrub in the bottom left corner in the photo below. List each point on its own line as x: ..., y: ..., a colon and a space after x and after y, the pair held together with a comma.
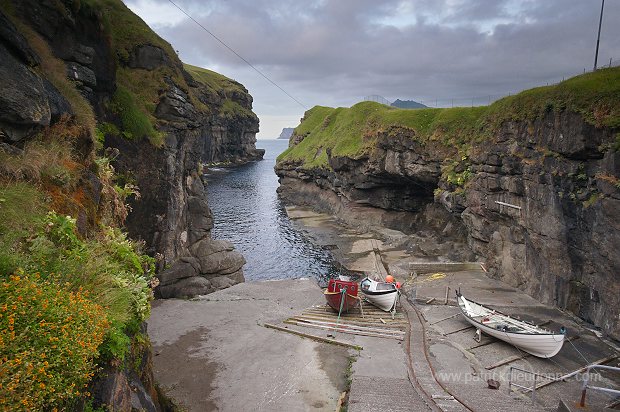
x: 49, y: 339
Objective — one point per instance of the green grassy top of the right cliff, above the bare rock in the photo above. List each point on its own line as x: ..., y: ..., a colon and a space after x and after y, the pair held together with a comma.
x: 352, y: 131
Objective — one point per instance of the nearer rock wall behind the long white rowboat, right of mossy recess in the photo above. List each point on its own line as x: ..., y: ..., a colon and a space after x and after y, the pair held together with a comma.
x: 559, y: 246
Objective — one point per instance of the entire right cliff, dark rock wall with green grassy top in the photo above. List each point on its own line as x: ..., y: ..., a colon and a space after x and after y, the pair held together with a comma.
x: 532, y: 180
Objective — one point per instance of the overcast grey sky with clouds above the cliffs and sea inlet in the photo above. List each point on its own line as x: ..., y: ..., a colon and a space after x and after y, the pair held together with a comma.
x: 336, y: 52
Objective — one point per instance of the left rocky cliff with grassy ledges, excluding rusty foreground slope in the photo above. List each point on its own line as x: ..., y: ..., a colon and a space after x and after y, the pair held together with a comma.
x: 158, y: 121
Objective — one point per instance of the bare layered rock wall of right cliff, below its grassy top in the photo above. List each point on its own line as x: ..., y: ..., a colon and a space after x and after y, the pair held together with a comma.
x: 557, y: 234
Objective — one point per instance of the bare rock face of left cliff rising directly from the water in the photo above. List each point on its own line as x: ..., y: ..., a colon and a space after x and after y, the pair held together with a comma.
x: 173, y: 216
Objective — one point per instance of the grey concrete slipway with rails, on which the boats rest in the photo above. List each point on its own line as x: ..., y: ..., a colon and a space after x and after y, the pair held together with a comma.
x: 214, y: 353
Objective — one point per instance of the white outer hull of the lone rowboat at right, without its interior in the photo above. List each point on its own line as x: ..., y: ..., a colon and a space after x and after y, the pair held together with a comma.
x: 542, y: 345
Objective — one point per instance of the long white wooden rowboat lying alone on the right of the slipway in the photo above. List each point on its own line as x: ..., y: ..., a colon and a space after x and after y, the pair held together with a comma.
x: 525, y: 336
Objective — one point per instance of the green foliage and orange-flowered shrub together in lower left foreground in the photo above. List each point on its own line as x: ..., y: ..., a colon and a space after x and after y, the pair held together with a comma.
x: 72, y: 302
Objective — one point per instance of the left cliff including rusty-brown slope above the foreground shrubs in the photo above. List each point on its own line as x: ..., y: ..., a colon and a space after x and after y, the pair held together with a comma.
x: 93, y: 82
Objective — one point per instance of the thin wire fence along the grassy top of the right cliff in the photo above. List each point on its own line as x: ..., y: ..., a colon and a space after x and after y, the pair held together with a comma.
x: 483, y: 100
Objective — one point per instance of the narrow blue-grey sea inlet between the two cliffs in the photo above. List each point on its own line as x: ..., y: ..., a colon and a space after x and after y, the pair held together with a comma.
x: 248, y: 213
